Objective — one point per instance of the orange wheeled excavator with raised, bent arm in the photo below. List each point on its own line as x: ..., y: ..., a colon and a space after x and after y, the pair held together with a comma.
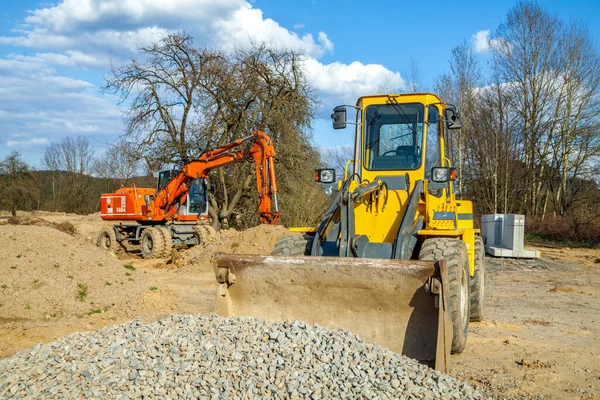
x: 176, y: 211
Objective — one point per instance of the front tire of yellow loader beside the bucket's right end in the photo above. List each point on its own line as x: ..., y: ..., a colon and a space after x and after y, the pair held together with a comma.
x: 454, y: 252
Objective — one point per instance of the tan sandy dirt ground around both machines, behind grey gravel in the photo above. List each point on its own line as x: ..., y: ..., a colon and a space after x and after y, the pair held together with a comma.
x: 540, y: 339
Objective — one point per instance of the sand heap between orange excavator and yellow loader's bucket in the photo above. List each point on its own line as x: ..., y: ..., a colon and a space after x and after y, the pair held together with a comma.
x: 258, y: 240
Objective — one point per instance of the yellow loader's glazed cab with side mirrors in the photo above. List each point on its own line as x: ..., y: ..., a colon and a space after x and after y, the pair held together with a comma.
x: 400, y: 135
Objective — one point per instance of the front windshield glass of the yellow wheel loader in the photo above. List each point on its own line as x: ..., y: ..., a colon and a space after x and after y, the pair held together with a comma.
x: 393, y: 136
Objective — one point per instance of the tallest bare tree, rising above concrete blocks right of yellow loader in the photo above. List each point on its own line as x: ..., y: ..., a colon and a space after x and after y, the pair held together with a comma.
x: 527, y: 57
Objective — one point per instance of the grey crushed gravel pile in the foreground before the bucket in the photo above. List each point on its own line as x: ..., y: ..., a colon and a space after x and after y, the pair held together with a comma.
x: 195, y: 356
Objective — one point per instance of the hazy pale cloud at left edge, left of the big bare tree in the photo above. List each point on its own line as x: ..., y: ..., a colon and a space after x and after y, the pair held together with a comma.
x: 38, y: 106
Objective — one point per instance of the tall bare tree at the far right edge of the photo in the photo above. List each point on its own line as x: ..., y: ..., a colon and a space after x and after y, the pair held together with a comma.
x: 575, y: 149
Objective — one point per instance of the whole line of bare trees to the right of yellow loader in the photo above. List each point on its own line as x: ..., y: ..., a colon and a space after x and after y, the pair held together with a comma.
x: 530, y: 141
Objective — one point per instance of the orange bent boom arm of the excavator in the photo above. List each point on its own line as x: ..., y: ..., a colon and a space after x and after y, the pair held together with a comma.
x: 259, y: 150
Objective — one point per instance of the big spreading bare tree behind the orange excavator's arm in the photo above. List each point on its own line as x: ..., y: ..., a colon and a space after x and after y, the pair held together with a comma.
x: 183, y: 100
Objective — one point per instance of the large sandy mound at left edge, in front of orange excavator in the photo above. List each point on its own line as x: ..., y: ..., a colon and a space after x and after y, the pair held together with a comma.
x: 49, y: 274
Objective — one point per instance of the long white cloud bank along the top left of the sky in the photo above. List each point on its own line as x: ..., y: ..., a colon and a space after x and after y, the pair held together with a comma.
x: 100, y: 29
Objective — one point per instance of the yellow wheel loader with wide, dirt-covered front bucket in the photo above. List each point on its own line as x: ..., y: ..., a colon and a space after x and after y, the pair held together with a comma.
x: 396, y: 259
